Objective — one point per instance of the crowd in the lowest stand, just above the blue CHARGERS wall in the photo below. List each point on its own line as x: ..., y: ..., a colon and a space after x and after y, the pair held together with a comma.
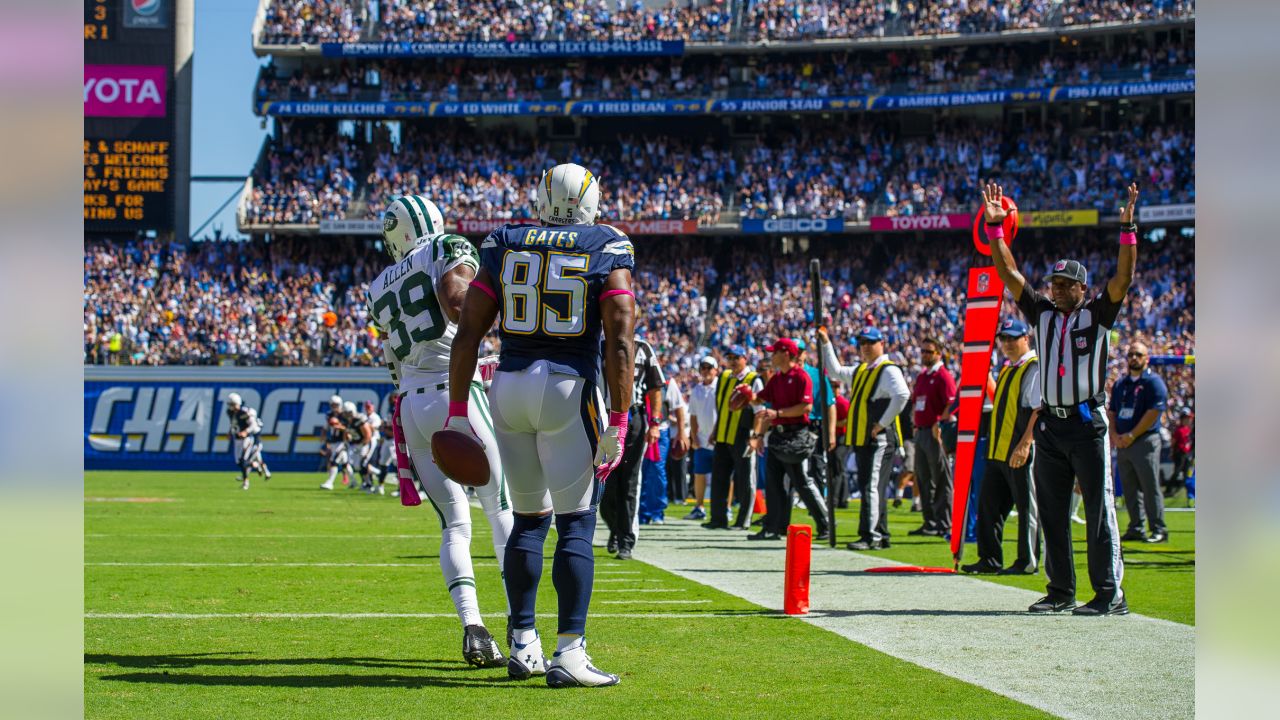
x: 301, y: 302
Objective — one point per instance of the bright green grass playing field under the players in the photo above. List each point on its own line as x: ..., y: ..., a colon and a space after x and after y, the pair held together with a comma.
x: 198, y: 545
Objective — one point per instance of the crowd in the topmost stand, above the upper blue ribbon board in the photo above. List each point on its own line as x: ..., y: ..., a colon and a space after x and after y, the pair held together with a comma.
x: 291, y: 22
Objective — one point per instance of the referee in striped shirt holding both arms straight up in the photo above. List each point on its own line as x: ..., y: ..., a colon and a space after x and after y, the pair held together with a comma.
x: 1072, y: 444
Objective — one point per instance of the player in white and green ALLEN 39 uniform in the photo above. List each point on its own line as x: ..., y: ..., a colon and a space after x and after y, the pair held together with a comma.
x: 415, y: 304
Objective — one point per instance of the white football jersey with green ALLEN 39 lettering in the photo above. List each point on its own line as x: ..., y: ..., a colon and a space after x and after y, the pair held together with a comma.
x: 403, y: 303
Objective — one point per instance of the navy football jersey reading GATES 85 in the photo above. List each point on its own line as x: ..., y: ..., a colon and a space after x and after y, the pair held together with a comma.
x: 550, y: 282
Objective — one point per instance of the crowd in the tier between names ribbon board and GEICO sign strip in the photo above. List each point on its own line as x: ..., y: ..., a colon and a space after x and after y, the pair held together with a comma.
x: 807, y: 171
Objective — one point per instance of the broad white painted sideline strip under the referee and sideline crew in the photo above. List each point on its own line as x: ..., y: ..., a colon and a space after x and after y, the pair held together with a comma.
x: 971, y: 630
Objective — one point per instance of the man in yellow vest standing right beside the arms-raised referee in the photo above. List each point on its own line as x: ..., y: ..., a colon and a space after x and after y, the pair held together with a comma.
x: 1007, y: 481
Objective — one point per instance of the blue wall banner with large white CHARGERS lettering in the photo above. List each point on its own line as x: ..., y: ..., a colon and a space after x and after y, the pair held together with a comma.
x: 193, y: 418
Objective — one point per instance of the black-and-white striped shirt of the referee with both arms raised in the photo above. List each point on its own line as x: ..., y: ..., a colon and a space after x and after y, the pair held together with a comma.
x: 1073, y: 347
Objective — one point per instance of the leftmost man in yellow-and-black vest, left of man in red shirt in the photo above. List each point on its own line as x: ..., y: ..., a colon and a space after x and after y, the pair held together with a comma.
x: 733, y: 459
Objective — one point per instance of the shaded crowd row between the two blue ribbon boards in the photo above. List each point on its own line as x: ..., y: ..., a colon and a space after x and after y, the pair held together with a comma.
x: 806, y: 76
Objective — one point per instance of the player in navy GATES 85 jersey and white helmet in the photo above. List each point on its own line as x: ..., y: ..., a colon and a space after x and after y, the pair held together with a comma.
x: 556, y: 288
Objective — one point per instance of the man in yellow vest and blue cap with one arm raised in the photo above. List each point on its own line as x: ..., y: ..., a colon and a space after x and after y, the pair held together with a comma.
x: 877, y: 394
